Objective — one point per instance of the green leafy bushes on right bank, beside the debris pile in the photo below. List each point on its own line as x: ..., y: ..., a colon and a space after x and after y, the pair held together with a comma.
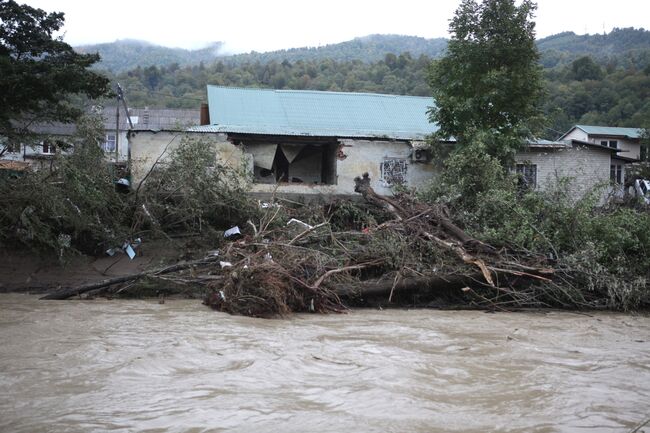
x: 603, y: 252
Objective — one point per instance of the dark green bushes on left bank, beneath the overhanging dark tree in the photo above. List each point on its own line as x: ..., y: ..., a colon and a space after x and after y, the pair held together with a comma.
x: 71, y: 208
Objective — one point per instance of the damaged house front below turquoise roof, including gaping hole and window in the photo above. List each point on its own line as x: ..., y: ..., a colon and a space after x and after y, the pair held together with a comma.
x: 329, y: 173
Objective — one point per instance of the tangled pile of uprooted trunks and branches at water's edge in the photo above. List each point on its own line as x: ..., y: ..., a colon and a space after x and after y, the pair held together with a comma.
x: 393, y: 250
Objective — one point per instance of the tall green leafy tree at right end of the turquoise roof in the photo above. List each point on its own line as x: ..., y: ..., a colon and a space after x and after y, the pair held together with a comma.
x: 489, y: 79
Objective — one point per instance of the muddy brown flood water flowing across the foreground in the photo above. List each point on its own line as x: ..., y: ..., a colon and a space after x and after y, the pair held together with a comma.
x: 84, y: 366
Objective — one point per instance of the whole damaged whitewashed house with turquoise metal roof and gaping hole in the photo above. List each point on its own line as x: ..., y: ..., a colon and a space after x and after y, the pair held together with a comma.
x: 308, y: 142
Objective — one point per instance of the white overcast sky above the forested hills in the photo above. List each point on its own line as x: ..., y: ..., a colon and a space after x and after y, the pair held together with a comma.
x: 264, y: 25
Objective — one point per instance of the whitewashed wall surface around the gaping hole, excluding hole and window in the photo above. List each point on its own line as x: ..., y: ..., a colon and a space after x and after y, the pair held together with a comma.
x: 355, y: 158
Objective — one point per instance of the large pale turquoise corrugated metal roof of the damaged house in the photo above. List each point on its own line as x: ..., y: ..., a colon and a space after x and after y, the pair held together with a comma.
x: 314, y: 113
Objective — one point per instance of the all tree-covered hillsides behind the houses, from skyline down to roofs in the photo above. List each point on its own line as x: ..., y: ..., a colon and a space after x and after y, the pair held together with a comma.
x: 591, y: 79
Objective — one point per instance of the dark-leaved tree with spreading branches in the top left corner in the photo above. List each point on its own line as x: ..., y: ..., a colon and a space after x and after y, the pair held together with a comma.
x: 39, y: 74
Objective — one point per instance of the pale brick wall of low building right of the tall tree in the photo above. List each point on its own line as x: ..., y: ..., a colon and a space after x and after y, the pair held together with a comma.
x: 588, y: 167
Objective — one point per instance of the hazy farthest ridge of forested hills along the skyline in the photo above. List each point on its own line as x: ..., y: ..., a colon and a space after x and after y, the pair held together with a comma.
x: 563, y: 48
